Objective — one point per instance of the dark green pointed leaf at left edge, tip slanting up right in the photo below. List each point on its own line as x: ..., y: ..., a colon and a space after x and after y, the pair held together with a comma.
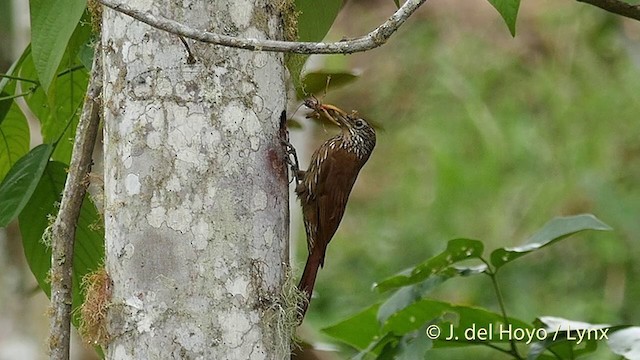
x: 21, y: 181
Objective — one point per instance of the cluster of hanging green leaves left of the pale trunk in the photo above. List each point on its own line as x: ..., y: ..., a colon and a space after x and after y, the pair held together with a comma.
x: 51, y: 77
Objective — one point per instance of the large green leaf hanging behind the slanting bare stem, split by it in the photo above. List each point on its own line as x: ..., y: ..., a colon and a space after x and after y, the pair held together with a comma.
x: 37, y: 216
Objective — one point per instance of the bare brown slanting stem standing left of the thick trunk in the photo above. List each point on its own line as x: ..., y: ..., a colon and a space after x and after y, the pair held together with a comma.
x: 64, y: 228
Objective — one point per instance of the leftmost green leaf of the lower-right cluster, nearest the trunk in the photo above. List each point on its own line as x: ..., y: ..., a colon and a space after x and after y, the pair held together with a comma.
x: 358, y: 330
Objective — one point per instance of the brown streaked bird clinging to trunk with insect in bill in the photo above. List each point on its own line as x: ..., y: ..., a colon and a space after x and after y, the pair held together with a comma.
x: 324, y: 188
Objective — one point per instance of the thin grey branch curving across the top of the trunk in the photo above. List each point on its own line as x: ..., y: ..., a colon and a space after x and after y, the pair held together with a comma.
x: 370, y: 41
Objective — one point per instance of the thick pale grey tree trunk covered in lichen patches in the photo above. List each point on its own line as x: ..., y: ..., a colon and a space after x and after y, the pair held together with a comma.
x: 196, y: 201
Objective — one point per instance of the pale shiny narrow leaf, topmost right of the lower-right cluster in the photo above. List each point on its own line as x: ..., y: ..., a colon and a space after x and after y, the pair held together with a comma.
x: 555, y: 230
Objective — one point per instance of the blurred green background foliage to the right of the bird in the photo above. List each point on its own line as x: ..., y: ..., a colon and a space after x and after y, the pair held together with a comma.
x: 489, y: 137
